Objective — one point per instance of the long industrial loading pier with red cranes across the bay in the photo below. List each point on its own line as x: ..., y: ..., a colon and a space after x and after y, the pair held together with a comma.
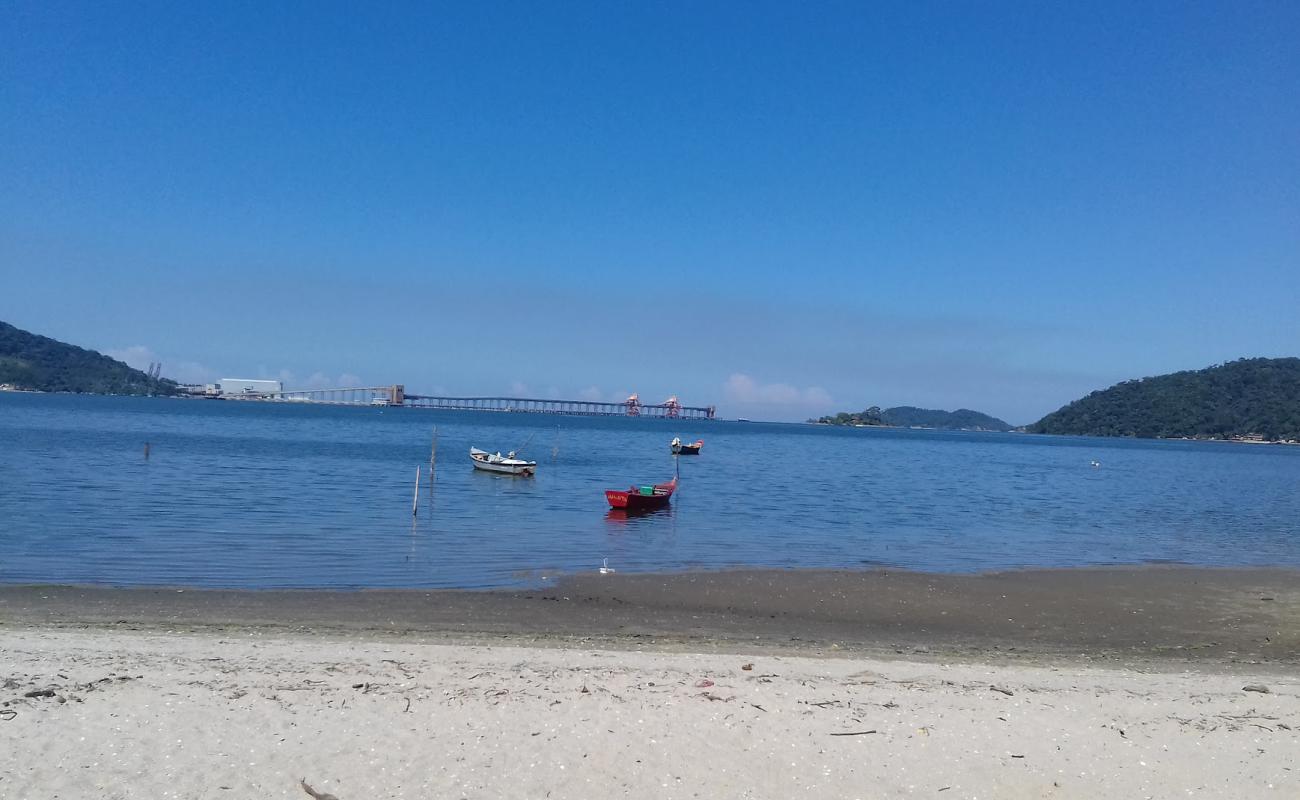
x: 397, y: 396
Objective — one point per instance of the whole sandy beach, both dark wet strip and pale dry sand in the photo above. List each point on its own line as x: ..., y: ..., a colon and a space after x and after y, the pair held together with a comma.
x: 183, y: 694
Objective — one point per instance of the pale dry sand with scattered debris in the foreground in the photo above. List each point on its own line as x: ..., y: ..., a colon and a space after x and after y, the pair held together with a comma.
x: 246, y: 717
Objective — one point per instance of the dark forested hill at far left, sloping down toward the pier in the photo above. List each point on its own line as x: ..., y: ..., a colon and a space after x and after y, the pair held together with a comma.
x: 29, y: 361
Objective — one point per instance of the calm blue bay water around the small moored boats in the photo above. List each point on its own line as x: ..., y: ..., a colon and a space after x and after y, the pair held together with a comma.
x: 258, y: 495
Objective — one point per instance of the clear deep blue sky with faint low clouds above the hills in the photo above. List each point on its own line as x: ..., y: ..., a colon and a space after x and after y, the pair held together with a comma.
x: 781, y: 209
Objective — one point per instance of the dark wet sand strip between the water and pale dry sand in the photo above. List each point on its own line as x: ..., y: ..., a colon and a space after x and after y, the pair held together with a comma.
x: 1155, y: 617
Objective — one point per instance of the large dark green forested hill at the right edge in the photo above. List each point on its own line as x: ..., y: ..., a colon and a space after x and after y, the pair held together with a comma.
x: 1249, y: 397
